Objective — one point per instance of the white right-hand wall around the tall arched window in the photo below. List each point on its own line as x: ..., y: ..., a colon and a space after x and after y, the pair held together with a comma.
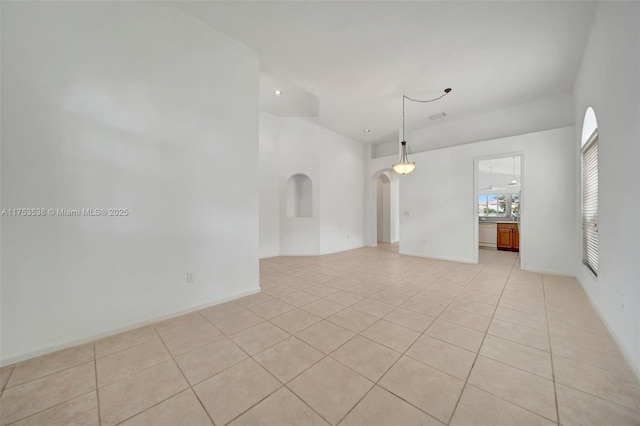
x: 609, y: 81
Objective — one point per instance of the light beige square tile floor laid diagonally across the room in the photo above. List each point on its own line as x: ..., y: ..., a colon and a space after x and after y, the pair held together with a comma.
x: 365, y: 337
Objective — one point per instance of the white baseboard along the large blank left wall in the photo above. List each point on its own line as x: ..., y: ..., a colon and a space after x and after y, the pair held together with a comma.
x: 76, y: 342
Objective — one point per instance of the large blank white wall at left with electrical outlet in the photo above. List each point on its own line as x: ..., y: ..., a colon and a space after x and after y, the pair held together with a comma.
x: 122, y: 105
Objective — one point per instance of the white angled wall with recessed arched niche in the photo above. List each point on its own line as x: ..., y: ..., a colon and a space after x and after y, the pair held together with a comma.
x: 335, y: 165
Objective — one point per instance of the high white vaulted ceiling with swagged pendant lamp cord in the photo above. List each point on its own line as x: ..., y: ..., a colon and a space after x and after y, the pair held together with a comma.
x: 348, y: 63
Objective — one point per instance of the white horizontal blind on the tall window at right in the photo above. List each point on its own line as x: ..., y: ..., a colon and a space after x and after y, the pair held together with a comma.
x: 590, y: 203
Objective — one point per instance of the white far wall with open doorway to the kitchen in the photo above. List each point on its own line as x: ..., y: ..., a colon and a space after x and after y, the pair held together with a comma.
x: 442, y: 214
